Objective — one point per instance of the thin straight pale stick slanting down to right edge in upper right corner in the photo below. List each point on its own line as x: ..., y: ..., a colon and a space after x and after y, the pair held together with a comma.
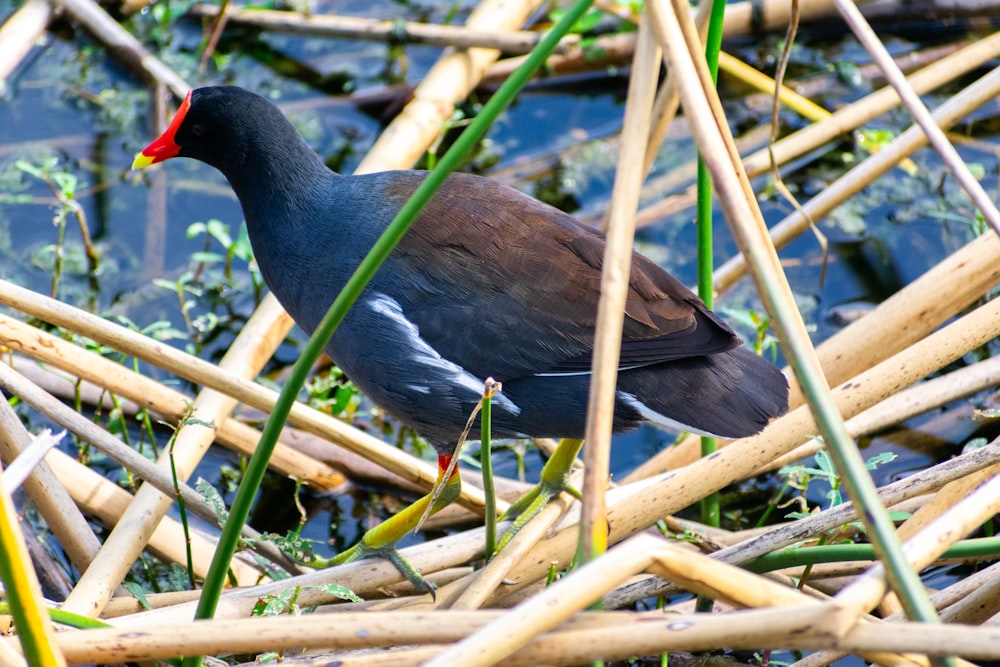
x: 949, y: 156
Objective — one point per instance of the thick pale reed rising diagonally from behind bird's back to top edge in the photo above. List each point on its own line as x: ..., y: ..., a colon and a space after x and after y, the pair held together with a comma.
x: 448, y: 82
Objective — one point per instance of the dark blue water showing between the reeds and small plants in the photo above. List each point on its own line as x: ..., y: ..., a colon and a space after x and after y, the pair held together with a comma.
x: 71, y: 102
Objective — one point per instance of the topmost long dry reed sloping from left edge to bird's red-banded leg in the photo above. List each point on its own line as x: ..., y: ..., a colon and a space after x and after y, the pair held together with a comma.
x: 209, y: 375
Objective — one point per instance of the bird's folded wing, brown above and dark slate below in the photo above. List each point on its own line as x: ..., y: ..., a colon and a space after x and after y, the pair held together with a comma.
x: 528, y: 275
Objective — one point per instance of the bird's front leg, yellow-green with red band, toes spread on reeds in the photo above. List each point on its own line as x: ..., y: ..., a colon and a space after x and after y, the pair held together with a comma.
x: 381, y: 540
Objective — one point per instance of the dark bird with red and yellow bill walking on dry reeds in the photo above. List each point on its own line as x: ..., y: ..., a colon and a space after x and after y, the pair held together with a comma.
x: 488, y: 282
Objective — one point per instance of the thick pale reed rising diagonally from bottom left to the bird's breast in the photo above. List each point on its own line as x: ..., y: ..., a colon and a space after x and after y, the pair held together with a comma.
x: 247, y: 355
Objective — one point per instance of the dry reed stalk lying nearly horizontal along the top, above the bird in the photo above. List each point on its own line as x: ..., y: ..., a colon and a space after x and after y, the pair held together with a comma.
x: 395, y: 32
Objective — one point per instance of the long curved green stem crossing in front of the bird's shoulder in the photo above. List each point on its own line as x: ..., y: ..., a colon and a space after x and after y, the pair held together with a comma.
x: 257, y: 466
